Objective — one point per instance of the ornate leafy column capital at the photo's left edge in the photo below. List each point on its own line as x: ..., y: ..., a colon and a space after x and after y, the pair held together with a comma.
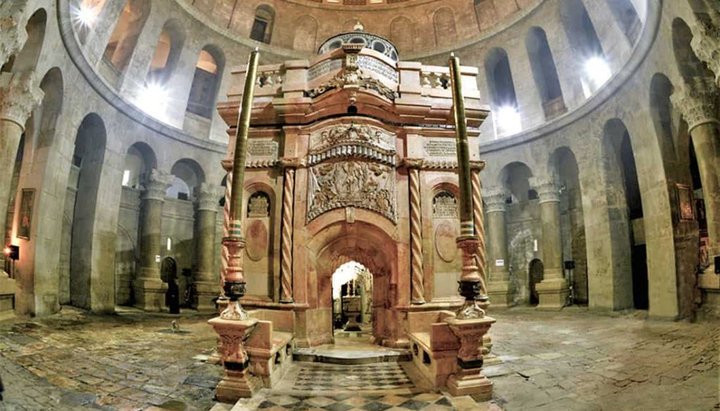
x: 19, y: 95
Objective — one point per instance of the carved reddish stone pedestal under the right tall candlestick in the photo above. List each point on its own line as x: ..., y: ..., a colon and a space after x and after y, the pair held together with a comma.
x: 468, y: 378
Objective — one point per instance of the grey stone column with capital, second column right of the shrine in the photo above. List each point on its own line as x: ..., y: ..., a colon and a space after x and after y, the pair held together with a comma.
x: 553, y: 289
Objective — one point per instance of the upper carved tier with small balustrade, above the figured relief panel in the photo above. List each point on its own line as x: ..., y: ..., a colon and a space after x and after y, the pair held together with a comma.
x: 352, y: 141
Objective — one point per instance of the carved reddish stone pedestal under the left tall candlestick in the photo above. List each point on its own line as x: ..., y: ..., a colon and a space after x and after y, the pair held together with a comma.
x: 237, y: 382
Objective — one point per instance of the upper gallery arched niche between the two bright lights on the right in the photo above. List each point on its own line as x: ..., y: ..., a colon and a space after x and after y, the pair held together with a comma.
x: 544, y: 72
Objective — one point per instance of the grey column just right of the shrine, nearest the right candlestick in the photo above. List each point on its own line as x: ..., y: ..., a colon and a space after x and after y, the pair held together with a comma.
x: 499, y: 288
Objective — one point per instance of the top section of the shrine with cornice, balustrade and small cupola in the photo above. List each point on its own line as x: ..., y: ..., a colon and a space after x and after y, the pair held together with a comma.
x: 358, y: 78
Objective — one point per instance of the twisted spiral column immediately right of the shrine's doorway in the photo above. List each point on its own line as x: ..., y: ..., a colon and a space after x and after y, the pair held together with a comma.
x: 417, y: 287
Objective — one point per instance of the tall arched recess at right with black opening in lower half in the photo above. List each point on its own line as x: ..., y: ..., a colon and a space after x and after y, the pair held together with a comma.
x: 630, y: 285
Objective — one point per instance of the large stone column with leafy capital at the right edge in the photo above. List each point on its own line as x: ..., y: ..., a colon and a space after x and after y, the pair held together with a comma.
x: 698, y: 103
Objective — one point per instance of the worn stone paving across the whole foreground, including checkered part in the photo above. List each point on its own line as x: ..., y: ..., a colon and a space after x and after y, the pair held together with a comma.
x: 571, y: 360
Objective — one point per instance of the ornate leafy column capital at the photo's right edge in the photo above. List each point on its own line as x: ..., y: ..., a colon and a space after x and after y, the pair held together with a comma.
x: 697, y: 101
